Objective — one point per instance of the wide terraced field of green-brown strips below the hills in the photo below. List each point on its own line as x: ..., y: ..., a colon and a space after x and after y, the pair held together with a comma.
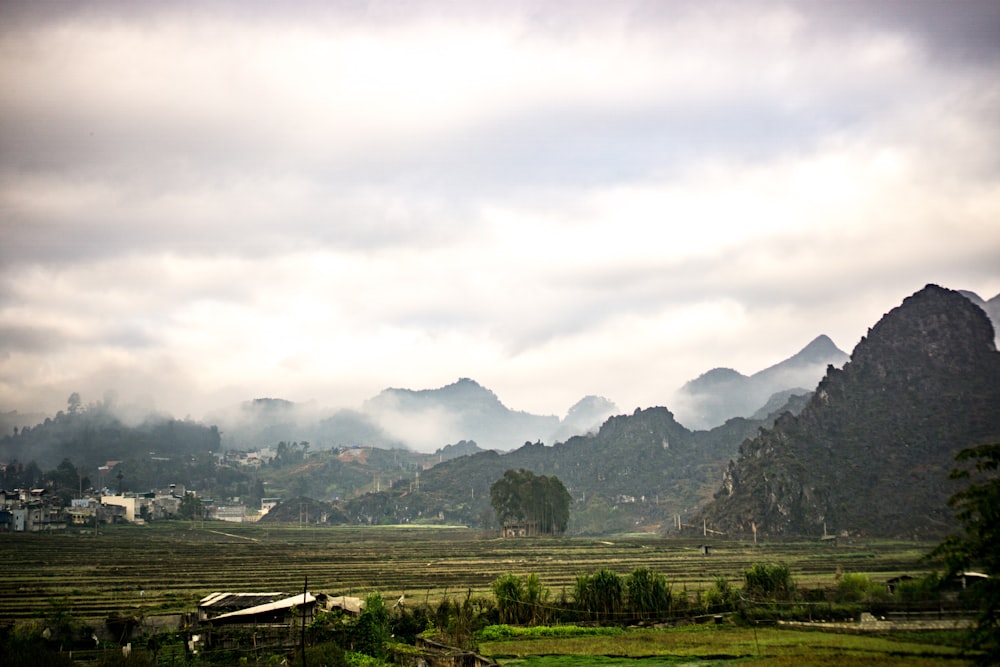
x: 166, y: 568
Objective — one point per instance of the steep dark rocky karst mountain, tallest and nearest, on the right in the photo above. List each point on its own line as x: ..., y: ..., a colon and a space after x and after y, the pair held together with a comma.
x: 872, y: 450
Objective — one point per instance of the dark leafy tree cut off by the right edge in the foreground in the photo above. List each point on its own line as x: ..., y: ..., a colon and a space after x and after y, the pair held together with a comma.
x: 978, y: 511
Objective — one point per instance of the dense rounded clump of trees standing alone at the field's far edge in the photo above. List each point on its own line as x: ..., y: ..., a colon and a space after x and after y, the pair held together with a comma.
x: 521, y: 495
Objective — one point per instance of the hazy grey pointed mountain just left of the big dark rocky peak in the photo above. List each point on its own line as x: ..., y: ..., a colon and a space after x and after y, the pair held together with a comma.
x: 721, y: 393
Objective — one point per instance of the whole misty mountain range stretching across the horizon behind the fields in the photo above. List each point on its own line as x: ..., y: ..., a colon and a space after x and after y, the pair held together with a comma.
x: 867, y: 450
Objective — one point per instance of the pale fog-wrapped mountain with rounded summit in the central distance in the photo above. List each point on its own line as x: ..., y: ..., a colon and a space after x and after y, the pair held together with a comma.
x: 465, y: 410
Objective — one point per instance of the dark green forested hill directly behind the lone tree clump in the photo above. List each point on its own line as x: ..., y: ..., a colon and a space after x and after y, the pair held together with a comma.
x: 644, y: 467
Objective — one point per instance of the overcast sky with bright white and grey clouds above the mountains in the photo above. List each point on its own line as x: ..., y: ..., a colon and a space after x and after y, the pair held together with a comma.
x: 203, y: 203
